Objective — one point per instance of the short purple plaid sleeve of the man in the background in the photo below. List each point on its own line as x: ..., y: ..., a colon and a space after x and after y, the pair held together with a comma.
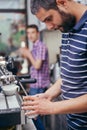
x: 41, y: 53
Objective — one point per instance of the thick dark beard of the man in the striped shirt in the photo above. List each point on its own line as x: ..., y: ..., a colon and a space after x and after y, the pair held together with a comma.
x: 68, y: 21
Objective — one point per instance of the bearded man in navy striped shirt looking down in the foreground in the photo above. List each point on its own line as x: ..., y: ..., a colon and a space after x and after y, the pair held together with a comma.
x: 69, y: 17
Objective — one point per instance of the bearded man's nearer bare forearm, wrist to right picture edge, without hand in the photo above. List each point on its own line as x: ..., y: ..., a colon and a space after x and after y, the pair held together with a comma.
x: 75, y: 105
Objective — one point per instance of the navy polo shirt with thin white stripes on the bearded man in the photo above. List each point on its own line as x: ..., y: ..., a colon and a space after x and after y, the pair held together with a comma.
x: 74, y: 69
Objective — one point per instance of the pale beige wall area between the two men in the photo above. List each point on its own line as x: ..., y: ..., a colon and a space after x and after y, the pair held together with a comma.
x: 53, y: 42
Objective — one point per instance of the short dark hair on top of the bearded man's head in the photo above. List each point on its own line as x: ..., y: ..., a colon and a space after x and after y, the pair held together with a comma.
x: 46, y: 4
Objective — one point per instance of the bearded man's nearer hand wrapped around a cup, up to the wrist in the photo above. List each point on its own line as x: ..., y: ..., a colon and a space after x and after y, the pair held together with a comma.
x: 38, y: 104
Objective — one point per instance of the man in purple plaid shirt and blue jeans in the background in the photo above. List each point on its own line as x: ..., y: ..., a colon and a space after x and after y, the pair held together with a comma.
x: 39, y: 66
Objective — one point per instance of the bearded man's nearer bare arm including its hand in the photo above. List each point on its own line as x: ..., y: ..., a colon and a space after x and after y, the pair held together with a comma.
x: 45, y: 107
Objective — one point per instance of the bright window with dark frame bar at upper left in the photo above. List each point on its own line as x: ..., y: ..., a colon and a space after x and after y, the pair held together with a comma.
x: 13, y: 20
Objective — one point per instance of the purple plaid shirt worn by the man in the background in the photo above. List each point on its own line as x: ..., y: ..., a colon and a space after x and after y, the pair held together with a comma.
x: 40, y: 52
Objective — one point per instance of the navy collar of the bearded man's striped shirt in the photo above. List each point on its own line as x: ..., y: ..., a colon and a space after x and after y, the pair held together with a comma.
x: 81, y: 22
